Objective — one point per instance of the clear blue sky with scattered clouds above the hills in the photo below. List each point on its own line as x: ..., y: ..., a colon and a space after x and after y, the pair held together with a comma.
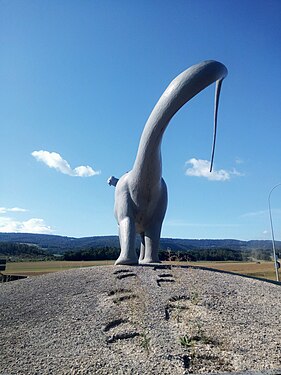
x: 78, y: 82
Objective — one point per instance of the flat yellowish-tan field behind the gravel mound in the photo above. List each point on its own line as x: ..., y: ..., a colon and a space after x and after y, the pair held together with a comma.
x: 263, y: 269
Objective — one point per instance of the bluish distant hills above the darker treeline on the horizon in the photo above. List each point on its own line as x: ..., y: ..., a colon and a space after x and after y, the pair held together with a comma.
x: 60, y: 244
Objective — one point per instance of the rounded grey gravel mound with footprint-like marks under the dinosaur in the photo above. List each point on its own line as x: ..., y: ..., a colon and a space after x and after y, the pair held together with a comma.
x: 139, y: 320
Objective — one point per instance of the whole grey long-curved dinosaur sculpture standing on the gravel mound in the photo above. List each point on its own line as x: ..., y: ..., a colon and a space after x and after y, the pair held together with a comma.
x: 141, y: 194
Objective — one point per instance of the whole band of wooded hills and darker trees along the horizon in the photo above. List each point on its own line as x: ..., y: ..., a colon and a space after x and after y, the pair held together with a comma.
x: 26, y: 246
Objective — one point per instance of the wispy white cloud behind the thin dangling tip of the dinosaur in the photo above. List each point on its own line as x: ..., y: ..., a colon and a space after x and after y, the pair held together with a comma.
x: 201, y: 168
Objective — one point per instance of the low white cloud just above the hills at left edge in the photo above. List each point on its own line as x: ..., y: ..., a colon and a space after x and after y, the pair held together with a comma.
x: 33, y: 225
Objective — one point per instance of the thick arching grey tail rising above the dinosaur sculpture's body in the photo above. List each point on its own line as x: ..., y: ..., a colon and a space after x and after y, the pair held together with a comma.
x: 148, y: 165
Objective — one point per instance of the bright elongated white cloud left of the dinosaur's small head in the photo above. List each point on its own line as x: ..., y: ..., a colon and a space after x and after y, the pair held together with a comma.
x: 54, y: 160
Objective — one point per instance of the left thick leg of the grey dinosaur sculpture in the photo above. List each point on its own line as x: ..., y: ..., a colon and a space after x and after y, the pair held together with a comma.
x: 127, y: 237
